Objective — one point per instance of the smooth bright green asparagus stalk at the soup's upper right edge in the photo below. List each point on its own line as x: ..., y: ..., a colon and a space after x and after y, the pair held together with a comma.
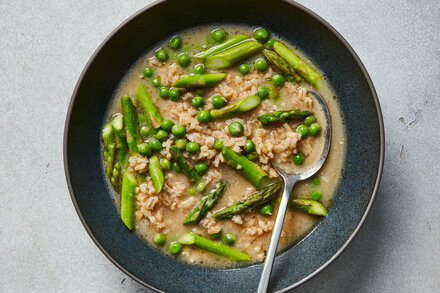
x: 299, y: 65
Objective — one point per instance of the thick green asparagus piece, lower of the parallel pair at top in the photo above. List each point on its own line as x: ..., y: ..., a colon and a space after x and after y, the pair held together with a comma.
x: 233, y: 55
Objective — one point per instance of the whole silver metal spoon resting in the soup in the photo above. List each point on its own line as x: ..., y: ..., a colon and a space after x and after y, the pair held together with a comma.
x: 289, y: 181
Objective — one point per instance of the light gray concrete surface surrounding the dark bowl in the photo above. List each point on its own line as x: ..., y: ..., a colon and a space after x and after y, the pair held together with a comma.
x: 44, y: 45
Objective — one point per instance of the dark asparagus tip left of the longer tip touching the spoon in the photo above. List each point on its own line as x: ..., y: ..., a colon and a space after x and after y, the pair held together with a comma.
x: 206, y: 203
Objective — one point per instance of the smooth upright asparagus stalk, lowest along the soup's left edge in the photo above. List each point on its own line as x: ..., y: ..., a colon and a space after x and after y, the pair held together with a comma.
x: 127, y: 199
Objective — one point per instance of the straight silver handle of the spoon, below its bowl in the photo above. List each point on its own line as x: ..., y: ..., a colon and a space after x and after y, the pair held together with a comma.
x: 276, y: 233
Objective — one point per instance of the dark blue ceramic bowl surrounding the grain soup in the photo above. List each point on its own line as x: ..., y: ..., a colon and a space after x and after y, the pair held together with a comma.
x: 82, y: 158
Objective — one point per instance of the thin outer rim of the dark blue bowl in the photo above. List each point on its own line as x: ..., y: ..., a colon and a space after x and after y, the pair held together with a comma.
x: 317, y: 18
